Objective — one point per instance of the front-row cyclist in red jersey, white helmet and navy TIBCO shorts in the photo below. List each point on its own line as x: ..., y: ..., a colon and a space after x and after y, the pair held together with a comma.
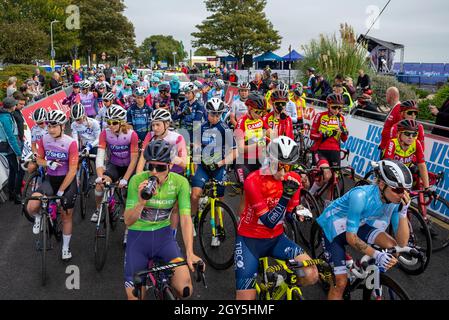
x: 272, y: 193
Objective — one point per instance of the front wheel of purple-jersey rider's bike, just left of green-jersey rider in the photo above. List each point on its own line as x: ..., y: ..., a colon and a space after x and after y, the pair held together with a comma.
x: 102, y: 232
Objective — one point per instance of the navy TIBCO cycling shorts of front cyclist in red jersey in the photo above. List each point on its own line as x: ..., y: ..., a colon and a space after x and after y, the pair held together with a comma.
x: 248, y: 251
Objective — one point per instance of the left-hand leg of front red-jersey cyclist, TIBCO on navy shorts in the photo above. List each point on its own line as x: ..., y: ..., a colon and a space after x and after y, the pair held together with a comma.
x: 246, y: 260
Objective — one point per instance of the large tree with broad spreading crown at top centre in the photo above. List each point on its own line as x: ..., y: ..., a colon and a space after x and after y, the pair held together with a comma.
x: 238, y: 28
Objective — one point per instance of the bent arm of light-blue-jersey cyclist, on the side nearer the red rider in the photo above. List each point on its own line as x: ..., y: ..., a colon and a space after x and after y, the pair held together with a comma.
x: 357, y: 202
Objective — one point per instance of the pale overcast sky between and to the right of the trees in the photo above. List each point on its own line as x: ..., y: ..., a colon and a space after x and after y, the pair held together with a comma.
x: 421, y: 25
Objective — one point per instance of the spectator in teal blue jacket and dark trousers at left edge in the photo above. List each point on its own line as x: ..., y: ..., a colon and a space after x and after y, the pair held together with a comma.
x: 9, y: 146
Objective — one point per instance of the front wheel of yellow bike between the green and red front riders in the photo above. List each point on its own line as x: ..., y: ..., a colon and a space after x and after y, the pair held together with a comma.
x: 218, y: 250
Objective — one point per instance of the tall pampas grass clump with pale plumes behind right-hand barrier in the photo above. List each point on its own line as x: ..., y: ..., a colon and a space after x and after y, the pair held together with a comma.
x: 332, y: 56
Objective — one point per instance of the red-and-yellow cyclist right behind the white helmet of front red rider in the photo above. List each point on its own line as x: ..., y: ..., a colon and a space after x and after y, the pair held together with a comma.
x: 279, y: 120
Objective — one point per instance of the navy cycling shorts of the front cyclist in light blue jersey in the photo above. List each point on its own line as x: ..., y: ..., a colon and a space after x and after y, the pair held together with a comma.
x: 335, y: 253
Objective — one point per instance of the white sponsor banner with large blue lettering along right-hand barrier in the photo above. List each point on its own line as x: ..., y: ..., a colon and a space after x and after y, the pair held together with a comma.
x: 364, y: 139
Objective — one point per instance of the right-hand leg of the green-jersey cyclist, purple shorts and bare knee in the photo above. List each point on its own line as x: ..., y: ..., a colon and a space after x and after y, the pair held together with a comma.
x: 168, y: 251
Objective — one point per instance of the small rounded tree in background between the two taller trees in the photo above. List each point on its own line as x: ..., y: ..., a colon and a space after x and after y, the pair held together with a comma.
x: 165, y: 46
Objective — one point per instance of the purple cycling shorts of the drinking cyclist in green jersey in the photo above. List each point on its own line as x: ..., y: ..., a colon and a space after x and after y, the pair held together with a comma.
x: 145, y: 246
